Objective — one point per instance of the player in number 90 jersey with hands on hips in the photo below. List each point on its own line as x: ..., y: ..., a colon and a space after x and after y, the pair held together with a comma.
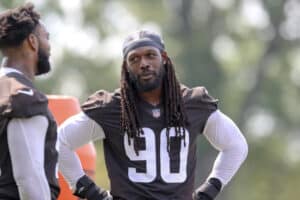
x: 149, y: 128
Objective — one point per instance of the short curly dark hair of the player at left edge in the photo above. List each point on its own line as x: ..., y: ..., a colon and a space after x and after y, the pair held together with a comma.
x: 16, y: 24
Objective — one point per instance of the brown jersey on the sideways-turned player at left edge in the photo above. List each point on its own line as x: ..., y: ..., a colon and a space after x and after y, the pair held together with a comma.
x: 20, y: 99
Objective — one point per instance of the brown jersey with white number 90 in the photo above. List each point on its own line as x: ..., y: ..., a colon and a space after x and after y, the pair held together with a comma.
x: 153, y: 173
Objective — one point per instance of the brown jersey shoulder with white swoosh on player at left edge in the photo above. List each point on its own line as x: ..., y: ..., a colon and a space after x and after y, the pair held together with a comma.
x: 20, y: 100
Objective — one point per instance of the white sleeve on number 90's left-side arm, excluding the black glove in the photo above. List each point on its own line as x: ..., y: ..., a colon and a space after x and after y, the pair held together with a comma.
x: 73, y: 133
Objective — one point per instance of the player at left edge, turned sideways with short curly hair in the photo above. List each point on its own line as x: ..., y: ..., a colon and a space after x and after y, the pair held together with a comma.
x: 28, y: 132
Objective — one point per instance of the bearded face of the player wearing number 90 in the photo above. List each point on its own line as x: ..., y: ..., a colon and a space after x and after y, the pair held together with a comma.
x: 145, y: 66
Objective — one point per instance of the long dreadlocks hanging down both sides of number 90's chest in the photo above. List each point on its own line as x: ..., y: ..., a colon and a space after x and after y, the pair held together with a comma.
x: 173, y: 105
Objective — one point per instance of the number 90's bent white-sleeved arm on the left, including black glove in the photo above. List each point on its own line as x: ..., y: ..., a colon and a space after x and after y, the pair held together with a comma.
x: 73, y: 133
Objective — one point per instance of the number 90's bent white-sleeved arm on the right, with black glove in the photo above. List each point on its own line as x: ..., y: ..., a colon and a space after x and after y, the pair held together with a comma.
x: 226, y: 137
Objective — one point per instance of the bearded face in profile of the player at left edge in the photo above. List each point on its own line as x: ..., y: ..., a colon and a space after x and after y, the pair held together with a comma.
x: 43, y: 64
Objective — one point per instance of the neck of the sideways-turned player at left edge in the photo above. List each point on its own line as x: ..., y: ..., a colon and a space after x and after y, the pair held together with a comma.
x: 20, y: 65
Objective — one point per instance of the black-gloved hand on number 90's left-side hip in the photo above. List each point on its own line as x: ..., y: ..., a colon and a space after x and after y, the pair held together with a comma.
x: 87, y: 189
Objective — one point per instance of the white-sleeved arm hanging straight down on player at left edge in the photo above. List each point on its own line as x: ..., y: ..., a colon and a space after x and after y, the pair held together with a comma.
x: 26, y: 143
